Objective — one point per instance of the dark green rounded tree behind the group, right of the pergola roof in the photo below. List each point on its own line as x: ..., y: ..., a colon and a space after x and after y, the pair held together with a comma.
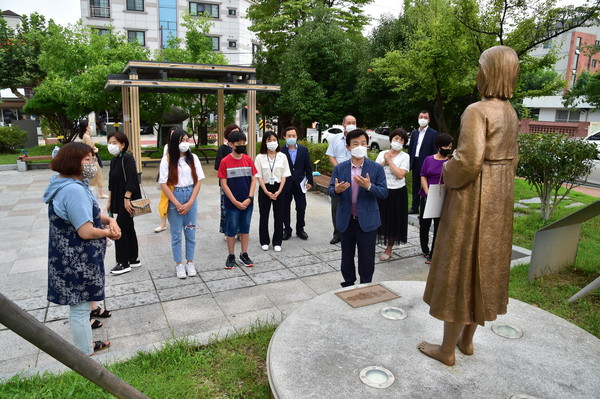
x: 319, y: 72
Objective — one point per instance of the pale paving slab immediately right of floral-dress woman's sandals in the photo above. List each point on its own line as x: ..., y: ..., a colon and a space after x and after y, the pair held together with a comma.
x: 133, y: 321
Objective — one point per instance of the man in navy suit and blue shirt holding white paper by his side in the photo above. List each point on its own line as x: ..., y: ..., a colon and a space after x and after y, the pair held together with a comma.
x: 299, y: 161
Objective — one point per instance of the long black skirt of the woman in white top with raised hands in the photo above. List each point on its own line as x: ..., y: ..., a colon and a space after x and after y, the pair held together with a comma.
x: 394, y: 217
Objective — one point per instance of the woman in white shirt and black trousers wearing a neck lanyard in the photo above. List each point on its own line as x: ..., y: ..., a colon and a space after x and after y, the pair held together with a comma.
x: 273, y: 168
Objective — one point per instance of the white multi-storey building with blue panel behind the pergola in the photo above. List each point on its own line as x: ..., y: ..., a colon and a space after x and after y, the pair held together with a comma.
x: 152, y: 22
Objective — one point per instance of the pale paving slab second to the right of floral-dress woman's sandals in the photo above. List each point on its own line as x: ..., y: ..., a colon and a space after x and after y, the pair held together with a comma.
x: 189, y: 310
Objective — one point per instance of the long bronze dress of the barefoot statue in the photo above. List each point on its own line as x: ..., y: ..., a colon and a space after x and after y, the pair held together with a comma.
x: 469, y: 274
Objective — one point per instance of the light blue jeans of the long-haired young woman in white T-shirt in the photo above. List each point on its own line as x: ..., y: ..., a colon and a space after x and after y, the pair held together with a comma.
x: 185, y: 223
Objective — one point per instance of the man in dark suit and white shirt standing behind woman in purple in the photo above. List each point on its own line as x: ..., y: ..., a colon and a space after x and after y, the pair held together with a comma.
x: 420, y: 147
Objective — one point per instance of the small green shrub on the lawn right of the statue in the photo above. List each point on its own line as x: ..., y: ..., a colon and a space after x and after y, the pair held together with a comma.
x: 550, y: 161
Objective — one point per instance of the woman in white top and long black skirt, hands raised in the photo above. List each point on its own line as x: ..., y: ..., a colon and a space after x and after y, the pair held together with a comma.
x: 394, y: 208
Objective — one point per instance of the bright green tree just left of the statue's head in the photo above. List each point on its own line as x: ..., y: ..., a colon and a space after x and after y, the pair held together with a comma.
x: 438, y: 61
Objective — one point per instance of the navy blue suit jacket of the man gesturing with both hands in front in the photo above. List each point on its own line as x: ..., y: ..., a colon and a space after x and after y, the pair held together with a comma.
x: 366, y: 203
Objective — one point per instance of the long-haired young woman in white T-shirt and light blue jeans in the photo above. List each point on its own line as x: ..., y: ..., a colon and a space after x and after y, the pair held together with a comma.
x: 180, y: 175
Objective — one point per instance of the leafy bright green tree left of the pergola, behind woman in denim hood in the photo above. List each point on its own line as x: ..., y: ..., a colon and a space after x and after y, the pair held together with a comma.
x: 77, y: 61
